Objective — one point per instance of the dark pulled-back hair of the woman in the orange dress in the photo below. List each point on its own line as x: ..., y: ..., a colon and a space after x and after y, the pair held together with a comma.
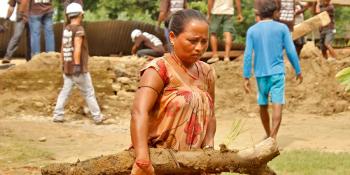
x: 179, y: 20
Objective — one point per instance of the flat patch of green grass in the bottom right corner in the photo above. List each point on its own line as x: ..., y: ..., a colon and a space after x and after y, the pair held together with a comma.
x: 309, y: 162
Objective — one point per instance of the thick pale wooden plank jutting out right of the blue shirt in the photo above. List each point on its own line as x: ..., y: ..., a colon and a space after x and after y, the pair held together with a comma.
x: 310, y: 25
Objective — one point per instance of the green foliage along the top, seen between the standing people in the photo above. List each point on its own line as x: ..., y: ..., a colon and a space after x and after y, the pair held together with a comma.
x: 147, y: 11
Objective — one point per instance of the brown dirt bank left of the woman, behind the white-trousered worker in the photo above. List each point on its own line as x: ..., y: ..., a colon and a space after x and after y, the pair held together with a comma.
x: 32, y: 88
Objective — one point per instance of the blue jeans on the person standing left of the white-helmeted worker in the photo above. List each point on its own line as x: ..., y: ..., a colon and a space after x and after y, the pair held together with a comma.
x: 35, y: 22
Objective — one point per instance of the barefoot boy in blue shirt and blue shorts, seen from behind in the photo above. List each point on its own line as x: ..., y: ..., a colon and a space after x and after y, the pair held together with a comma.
x: 267, y: 39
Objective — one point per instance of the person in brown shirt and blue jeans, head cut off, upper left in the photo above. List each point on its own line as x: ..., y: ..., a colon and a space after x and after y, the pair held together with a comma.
x: 41, y: 12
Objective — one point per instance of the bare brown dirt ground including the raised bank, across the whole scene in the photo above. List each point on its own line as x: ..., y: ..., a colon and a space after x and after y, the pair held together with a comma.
x: 316, y: 116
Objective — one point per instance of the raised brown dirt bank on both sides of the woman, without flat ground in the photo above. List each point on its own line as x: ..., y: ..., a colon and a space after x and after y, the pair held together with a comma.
x: 32, y: 88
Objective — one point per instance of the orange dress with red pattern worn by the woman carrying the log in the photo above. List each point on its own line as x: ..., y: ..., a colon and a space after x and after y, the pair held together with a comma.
x: 179, y: 119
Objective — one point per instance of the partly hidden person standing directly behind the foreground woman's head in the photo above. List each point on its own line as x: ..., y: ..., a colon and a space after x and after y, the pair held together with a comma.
x: 166, y: 9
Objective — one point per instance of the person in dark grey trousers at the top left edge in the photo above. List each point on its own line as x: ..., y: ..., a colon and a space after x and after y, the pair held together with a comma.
x: 21, y: 25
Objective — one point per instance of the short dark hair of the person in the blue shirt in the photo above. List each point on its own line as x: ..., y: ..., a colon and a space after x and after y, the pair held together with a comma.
x: 267, y: 8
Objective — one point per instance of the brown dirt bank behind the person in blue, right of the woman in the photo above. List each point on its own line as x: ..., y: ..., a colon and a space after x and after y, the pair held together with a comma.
x: 319, y: 93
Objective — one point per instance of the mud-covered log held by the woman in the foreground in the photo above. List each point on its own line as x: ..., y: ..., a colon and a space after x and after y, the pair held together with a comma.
x: 248, y: 161
